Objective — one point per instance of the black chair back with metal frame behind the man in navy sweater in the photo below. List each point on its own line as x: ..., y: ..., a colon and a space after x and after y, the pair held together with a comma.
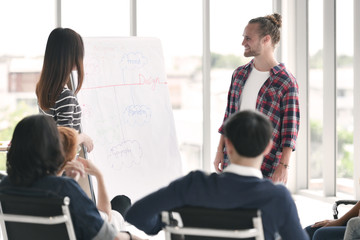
x: 194, y: 223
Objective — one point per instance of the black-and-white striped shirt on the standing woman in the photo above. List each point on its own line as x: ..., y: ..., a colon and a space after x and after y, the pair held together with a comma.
x: 67, y: 111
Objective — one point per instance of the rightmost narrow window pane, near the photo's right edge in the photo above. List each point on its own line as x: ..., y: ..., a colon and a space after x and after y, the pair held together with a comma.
x: 344, y: 103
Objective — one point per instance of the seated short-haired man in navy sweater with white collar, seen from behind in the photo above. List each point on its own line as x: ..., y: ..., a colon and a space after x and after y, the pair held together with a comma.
x: 241, y: 185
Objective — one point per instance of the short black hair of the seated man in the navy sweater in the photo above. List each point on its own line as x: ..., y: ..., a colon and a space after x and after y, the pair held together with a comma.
x: 249, y: 132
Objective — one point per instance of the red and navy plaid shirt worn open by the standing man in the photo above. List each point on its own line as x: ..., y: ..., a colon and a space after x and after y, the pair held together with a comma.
x: 277, y: 99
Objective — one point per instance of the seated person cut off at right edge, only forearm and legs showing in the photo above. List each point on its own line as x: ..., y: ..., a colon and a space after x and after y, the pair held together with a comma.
x: 333, y: 229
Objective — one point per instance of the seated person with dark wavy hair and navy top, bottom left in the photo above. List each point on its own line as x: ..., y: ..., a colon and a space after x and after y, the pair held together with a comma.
x: 33, y: 161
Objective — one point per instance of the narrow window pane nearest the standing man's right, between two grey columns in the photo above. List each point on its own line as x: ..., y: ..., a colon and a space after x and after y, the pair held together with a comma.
x: 316, y: 94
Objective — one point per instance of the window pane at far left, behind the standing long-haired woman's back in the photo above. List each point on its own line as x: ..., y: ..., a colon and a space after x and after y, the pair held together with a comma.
x: 24, y: 28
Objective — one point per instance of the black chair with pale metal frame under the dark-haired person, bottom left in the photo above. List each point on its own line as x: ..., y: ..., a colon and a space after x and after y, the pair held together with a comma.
x: 24, y: 217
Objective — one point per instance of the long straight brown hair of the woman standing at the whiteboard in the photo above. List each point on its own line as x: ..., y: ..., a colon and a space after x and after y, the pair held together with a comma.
x: 64, y: 52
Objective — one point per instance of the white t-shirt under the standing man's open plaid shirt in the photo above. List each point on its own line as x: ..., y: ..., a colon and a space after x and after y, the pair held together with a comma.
x: 251, y: 89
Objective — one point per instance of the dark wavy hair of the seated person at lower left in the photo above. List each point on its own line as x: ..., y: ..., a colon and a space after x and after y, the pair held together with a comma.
x: 35, y: 150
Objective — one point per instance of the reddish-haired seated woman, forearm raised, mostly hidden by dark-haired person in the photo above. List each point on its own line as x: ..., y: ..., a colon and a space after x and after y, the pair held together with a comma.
x: 70, y: 140
